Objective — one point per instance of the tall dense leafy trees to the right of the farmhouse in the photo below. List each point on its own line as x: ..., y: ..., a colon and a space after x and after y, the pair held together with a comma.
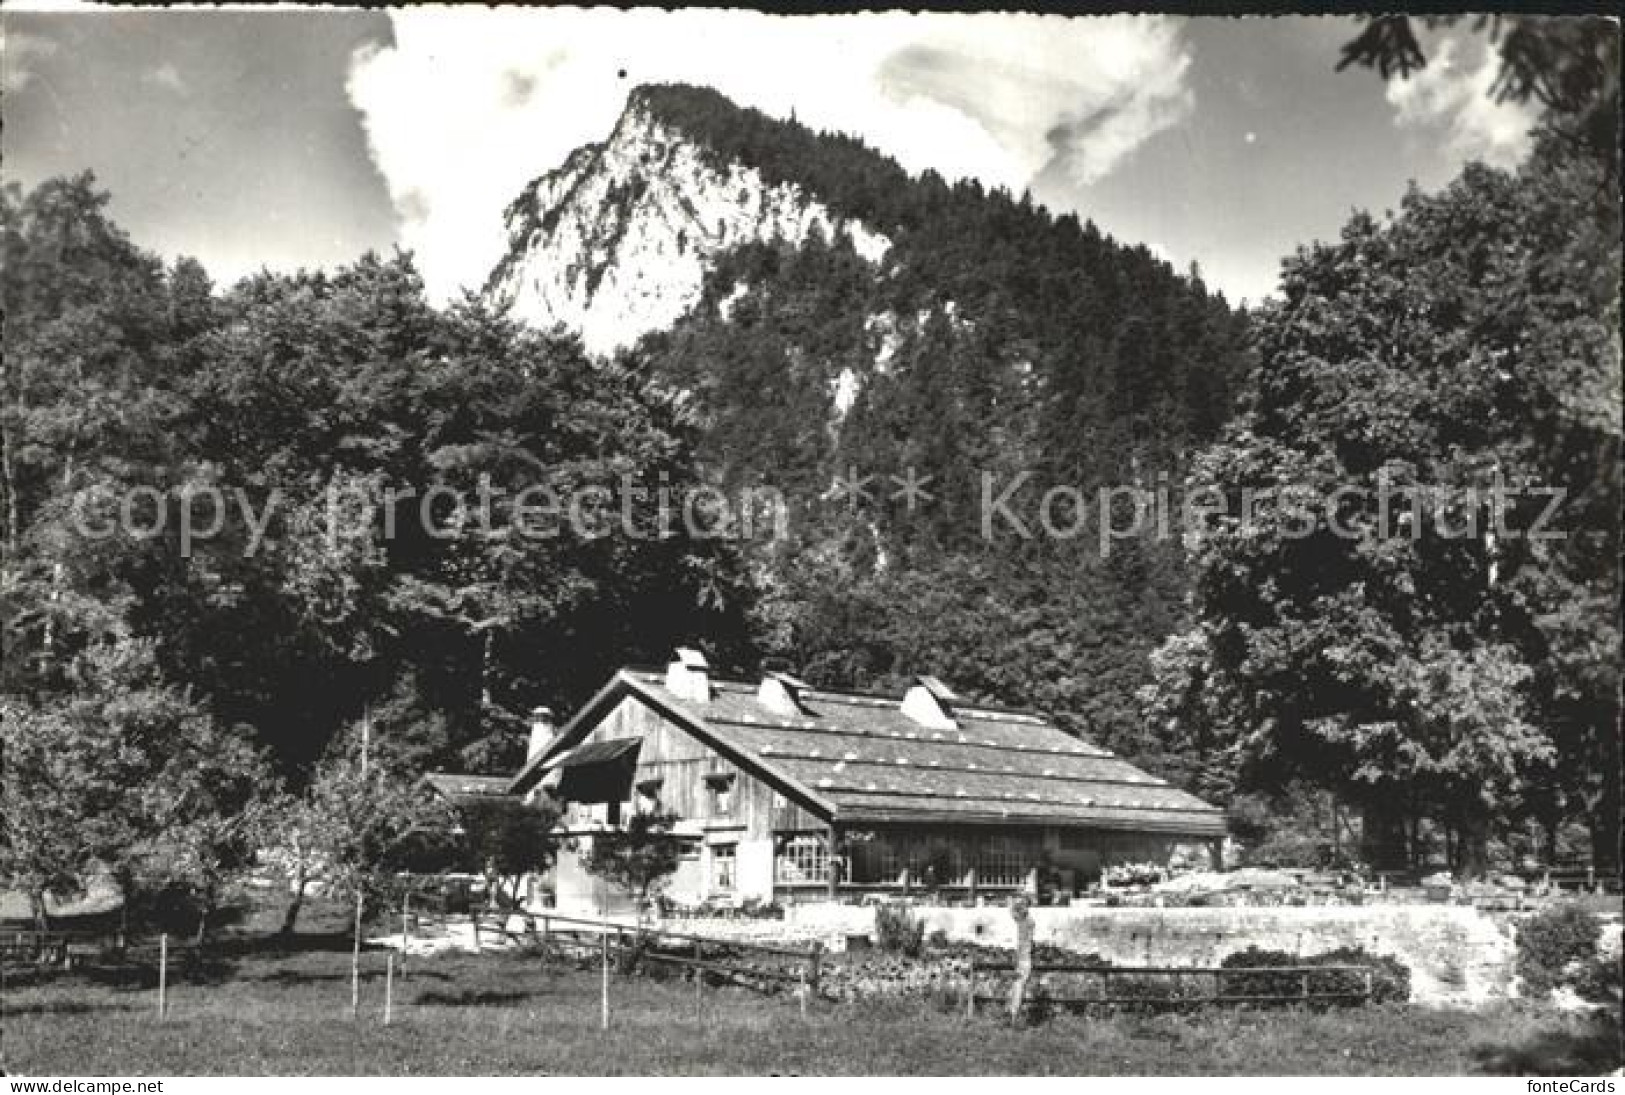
x: 1452, y: 665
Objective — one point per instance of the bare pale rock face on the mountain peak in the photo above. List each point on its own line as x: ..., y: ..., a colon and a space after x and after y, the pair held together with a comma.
x: 617, y: 243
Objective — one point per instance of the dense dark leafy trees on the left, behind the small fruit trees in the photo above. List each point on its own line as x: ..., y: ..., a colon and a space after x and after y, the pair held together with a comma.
x: 285, y: 417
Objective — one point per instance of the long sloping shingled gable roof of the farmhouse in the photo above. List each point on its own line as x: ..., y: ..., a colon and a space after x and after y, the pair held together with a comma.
x: 859, y: 760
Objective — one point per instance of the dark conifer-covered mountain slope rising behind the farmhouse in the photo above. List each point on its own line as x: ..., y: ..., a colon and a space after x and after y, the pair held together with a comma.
x: 994, y: 340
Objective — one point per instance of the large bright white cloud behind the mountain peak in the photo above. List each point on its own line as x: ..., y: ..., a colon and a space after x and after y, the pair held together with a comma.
x: 469, y: 105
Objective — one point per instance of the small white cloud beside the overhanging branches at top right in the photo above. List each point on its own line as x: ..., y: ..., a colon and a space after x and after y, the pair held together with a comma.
x: 1452, y: 98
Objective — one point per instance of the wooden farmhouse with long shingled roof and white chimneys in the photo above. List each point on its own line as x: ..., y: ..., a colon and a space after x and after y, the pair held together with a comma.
x: 786, y: 792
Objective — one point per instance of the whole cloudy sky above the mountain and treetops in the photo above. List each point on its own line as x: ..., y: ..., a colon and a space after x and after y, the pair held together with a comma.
x: 305, y: 139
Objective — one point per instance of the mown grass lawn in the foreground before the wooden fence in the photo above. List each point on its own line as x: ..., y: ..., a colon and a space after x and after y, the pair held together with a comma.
x: 262, y: 1011
